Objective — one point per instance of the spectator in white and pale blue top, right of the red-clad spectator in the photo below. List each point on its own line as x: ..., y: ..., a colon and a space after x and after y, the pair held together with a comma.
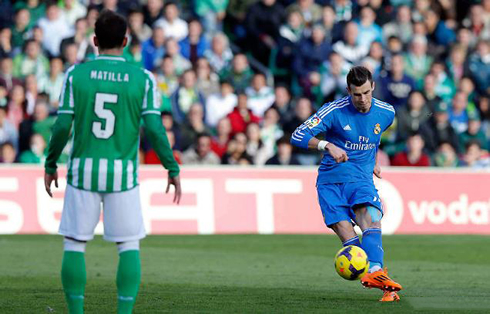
x: 260, y: 96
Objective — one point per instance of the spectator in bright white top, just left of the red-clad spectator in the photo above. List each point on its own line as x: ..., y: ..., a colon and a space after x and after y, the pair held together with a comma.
x: 219, y: 105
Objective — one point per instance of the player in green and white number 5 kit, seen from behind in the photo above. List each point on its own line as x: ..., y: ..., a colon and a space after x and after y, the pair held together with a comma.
x: 105, y: 100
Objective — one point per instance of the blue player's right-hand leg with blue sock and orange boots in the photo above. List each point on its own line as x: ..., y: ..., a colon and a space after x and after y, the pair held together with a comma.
x: 369, y: 220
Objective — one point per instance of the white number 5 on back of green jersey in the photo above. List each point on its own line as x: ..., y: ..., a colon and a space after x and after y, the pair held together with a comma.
x: 106, y: 114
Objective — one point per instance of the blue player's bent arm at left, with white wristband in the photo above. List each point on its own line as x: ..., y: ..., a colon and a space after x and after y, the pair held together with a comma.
x: 304, y: 137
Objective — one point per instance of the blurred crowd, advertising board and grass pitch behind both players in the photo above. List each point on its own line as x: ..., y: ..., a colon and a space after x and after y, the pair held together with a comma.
x: 236, y: 77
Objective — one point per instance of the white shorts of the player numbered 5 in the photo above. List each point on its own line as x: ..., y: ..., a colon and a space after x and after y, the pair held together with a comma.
x: 123, y: 220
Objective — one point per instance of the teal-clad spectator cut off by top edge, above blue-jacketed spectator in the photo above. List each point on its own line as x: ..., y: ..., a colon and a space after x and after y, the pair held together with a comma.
x: 212, y: 14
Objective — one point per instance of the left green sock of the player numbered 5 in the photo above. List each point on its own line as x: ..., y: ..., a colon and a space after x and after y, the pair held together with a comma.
x: 73, y: 278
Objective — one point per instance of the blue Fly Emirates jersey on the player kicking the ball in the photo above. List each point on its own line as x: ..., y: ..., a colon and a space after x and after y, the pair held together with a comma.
x: 357, y: 133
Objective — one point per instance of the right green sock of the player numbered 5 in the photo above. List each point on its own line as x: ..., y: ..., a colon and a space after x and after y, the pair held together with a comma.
x: 128, y: 280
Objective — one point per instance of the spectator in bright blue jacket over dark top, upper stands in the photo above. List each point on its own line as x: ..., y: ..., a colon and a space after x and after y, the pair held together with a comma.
x: 195, y: 44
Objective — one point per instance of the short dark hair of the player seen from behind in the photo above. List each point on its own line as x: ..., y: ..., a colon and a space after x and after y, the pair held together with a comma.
x: 110, y: 29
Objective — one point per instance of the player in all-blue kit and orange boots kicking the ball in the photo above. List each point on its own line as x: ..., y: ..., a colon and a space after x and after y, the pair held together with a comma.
x: 352, y: 127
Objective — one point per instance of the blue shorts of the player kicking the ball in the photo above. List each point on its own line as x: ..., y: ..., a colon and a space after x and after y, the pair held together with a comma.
x: 337, y: 200
